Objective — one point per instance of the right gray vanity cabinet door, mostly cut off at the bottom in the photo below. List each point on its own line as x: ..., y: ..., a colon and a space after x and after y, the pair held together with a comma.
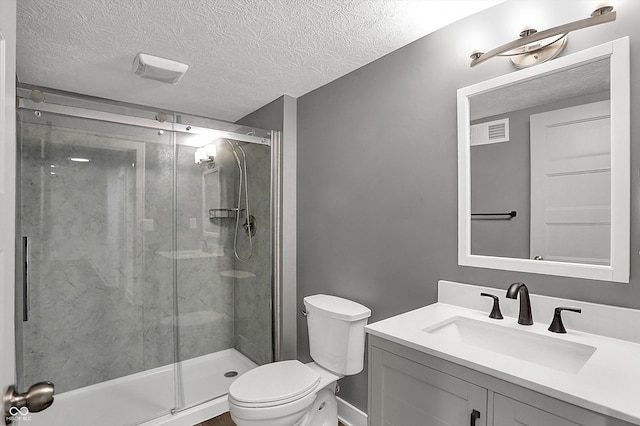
x: 508, y: 412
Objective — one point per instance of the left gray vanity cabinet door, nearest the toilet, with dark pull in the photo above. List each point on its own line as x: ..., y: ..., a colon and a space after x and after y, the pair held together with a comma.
x: 405, y: 393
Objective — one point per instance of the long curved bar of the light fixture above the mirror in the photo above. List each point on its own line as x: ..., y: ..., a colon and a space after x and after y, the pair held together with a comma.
x: 600, y: 16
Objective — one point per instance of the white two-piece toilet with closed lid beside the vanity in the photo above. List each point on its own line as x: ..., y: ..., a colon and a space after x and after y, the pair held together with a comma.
x: 290, y: 393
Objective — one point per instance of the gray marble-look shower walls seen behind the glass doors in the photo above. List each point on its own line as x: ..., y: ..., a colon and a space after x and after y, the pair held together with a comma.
x: 101, y: 268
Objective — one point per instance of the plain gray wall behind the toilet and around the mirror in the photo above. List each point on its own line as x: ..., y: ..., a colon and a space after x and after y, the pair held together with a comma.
x: 377, y: 172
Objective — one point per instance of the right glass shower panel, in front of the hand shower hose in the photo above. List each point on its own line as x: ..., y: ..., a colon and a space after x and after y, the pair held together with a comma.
x: 224, y: 266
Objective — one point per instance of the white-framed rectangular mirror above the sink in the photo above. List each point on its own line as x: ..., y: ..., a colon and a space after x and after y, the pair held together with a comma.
x: 544, y: 168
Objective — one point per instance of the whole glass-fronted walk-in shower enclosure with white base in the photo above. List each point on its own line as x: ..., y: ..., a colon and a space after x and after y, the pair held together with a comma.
x: 145, y: 288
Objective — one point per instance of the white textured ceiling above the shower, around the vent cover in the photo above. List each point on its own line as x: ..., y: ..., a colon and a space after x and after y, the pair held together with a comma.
x: 241, y: 54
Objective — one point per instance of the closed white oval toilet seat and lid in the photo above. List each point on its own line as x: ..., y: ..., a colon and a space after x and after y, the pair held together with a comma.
x: 273, y: 384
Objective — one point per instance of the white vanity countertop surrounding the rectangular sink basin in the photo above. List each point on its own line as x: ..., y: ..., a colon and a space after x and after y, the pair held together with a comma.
x: 609, y: 382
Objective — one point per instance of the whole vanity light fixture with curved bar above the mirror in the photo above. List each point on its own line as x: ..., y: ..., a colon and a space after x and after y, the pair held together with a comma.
x: 534, y: 47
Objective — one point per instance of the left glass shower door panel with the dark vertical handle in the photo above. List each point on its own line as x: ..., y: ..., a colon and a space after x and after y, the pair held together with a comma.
x: 96, y: 297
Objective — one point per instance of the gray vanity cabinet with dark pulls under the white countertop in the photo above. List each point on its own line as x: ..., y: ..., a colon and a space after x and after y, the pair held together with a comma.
x: 408, y: 388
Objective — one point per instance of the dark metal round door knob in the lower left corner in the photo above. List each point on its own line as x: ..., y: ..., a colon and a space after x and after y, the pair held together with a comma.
x: 18, y: 405
